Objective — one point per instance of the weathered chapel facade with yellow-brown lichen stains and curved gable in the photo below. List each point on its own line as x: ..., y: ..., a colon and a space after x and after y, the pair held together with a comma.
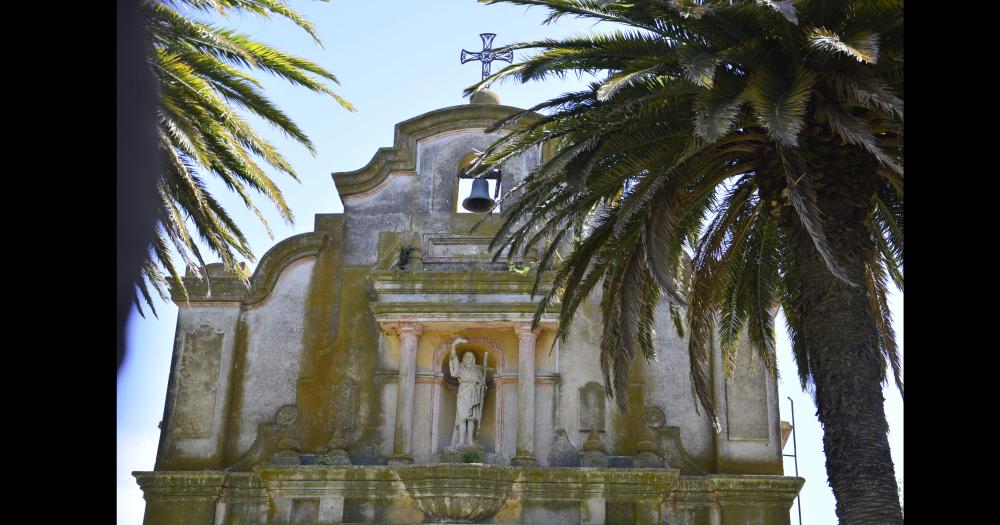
x: 322, y: 393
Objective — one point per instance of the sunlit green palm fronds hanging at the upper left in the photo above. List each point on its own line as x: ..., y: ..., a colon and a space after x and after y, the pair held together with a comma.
x: 201, y: 72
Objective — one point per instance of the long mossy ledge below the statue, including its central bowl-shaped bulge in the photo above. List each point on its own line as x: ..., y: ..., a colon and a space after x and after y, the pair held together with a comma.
x: 435, y: 488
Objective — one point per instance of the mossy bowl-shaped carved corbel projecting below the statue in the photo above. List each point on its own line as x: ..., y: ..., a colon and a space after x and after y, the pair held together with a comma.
x: 458, y: 494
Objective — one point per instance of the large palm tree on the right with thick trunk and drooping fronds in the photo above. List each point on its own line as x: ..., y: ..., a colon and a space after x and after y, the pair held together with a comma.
x: 736, y: 156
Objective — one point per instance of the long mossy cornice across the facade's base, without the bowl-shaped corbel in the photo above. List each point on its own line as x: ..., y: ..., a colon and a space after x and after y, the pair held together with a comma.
x: 531, y: 484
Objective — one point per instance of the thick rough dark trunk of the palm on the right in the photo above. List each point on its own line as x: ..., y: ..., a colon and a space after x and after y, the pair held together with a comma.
x: 840, y: 335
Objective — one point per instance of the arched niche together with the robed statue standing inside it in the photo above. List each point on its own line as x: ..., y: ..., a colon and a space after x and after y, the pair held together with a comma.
x: 467, y: 410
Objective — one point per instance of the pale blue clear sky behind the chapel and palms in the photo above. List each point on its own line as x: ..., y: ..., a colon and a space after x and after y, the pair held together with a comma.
x: 396, y: 59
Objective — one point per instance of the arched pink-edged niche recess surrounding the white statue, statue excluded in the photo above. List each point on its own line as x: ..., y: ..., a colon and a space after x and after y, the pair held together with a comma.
x: 445, y: 390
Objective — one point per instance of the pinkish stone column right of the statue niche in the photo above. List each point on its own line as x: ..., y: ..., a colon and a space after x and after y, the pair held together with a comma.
x: 525, y: 455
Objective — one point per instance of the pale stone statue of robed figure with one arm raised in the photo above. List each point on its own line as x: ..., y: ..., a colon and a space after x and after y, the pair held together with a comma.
x: 471, y: 392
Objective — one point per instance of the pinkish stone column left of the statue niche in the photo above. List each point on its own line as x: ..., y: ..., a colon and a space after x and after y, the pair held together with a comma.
x: 408, y: 333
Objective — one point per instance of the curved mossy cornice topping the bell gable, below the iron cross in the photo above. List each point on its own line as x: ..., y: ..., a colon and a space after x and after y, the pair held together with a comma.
x: 401, y: 157
